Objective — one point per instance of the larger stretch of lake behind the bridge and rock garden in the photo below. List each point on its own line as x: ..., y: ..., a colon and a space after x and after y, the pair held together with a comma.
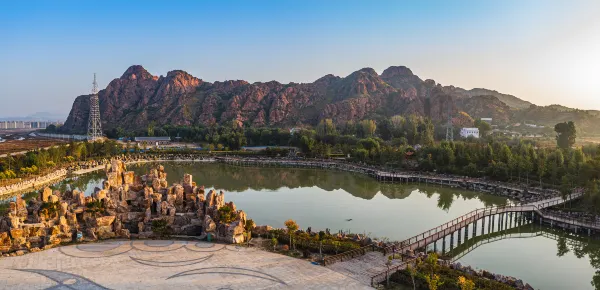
x: 321, y: 199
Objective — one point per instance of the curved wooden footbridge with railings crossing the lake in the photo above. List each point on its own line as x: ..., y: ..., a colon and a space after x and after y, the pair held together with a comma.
x: 370, y: 265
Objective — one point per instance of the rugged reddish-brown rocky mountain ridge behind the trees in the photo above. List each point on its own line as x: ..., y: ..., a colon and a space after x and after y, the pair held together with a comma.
x: 139, y: 98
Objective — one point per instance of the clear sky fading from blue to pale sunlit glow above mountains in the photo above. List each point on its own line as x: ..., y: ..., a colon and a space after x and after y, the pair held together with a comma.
x: 542, y: 51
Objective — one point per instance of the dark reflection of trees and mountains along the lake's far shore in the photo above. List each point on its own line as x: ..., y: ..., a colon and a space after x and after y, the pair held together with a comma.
x: 234, y: 178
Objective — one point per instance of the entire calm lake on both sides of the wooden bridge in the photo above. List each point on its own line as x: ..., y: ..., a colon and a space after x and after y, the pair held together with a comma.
x: 351, y: 202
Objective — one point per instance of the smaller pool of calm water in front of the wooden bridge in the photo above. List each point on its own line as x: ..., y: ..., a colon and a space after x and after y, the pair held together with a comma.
x: 547, y: 258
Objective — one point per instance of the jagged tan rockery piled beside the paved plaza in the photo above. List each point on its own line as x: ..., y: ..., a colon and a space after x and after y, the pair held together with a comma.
x: 127, y: 207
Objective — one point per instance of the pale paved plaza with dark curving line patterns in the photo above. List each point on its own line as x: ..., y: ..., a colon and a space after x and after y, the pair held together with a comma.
x: 165, y: 264
